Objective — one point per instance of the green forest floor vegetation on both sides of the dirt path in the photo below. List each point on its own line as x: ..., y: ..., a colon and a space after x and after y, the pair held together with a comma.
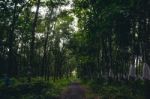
x: 39, y: 89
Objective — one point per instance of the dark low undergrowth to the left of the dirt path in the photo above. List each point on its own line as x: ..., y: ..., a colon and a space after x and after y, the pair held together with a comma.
x: 34, y: 90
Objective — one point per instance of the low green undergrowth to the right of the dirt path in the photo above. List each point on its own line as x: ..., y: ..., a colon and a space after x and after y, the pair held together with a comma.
x: 118, y: 90
